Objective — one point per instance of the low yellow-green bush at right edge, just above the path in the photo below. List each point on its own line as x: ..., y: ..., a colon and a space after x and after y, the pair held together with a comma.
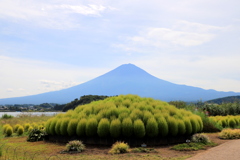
x: 230, y: 134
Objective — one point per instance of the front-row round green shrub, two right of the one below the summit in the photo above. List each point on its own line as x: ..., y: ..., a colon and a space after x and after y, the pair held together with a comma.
x: 152, y: 127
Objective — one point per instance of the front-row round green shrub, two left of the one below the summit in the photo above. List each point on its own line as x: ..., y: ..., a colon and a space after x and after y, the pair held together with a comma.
x: 103, y: 128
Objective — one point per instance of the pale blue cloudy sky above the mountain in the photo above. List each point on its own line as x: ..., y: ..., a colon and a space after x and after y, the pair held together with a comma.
x: 50, y: 45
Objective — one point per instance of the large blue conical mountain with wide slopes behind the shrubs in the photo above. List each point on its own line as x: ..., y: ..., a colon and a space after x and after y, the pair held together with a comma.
x: 125, y: 79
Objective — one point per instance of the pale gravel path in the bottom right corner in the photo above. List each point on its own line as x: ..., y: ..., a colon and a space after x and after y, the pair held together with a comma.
x: 226, y: 151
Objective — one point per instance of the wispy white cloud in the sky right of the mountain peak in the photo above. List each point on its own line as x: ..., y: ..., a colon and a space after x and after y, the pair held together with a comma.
x: 181, y: 35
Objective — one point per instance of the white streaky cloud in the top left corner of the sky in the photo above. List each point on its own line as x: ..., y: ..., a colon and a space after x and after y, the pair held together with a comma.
x: 57, y: 15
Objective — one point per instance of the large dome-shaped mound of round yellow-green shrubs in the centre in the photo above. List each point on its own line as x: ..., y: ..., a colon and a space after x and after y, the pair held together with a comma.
x: 125, y: 116
